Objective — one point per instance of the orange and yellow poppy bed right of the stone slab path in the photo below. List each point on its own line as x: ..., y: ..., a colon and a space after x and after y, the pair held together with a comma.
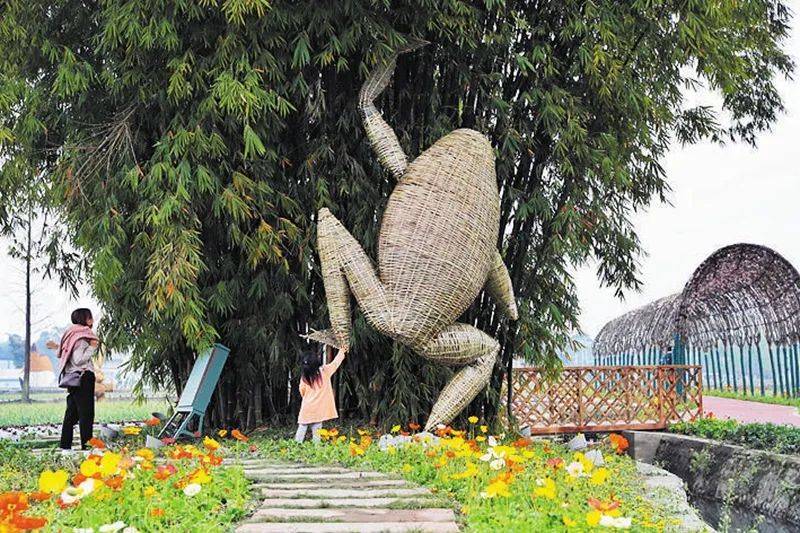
x: 499, y: 484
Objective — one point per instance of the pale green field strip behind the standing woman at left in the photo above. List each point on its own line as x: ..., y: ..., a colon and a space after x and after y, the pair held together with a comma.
x: 52, y: 412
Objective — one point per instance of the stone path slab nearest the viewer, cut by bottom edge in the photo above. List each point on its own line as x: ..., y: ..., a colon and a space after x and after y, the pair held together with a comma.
x: 337, y: 527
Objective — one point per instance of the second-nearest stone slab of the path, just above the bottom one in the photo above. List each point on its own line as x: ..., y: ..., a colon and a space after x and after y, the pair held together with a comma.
x: 355, y: 514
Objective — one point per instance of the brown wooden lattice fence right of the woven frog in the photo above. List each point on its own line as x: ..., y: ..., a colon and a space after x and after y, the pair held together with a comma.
x: 606, y: 398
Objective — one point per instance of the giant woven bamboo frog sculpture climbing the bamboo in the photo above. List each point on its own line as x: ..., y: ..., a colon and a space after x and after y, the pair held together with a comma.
x: 437, y: 250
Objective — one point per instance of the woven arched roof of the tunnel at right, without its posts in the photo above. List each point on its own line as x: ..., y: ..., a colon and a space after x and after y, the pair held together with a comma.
x: 737, y: 296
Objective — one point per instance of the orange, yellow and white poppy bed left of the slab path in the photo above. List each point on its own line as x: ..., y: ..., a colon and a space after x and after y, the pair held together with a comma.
x: 128, y: 488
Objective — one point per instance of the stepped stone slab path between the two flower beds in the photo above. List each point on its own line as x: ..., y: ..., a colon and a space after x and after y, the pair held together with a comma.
x: 305, y: 498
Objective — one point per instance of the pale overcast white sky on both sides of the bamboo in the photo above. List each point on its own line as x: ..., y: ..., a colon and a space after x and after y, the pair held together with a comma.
x: 720, y: 196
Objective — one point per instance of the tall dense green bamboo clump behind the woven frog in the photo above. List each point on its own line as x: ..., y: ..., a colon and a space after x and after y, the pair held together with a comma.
x: 186, y: 146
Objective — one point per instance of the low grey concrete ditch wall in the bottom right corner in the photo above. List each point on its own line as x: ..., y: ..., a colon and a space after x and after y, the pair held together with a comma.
x: 762, y: 482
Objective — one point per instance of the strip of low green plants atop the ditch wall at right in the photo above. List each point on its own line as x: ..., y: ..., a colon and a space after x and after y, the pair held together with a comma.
x: 771, y: 437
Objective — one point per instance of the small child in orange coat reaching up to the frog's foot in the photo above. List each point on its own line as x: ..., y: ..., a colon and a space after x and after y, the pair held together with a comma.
x: 315, y: 387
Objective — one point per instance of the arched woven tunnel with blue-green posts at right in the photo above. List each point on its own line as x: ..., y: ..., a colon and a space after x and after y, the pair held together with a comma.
x: 738, y: 317
